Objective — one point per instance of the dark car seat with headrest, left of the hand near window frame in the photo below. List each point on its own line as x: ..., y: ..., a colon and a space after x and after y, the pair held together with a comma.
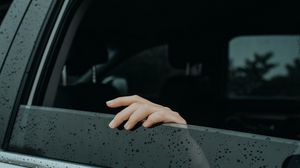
x: 88, y: 50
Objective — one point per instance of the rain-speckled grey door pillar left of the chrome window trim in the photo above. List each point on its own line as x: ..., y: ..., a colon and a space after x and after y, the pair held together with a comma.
x: 31, y: 34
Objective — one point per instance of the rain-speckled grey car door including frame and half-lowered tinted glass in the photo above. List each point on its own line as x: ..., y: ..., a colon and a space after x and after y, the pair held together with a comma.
x: 35, y: 135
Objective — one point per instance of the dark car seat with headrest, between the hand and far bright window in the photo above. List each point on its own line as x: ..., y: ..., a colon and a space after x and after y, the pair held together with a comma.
x: 195, y: 95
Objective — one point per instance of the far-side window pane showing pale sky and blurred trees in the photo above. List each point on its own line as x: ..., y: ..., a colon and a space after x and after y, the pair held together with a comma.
x: 264, y: 66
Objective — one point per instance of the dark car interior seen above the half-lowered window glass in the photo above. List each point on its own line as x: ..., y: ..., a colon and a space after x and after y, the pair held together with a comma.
x: 180, y: 58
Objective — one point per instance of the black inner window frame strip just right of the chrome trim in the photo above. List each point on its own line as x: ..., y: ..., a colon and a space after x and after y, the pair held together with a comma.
x: 47, y: 84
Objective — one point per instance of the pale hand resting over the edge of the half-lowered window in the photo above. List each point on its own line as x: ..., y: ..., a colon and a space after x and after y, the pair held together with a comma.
x: 139, y: 109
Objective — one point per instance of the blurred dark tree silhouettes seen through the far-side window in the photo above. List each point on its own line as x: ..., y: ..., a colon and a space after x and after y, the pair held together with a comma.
x: 250, y: 79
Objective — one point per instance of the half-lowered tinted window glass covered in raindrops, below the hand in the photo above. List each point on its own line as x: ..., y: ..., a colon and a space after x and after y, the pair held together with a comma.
x: 85, y: 137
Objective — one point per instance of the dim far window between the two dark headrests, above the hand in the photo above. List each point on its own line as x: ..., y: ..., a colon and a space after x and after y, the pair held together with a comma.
x: 154, y: 67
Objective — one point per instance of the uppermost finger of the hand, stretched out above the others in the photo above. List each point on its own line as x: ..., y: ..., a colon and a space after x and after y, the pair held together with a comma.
x: 125, y: 101
